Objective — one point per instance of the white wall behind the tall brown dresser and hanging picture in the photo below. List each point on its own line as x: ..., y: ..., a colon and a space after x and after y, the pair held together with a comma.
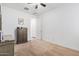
x: 10, y: 21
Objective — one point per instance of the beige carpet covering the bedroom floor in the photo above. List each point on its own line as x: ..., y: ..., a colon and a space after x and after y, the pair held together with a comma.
x: 43, y: 48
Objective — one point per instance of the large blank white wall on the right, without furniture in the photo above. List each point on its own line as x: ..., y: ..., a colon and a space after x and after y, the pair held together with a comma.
x: 61, y: 25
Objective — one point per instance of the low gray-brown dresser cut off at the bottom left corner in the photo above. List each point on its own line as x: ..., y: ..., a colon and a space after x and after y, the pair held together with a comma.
x: 7, y: 48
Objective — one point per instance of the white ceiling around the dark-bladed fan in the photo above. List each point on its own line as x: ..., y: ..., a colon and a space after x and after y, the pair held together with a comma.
x: 32, y: 10
